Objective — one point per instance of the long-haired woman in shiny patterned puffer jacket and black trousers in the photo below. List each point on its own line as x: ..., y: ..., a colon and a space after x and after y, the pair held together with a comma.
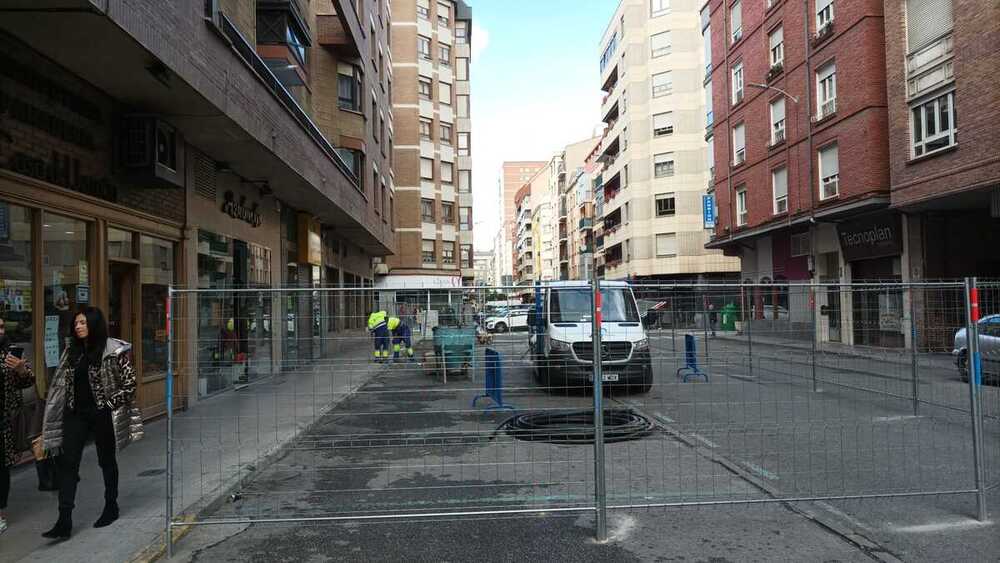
x: 90, y: 395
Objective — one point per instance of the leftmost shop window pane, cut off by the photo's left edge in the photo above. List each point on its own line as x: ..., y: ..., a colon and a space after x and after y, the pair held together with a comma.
x: 16, y: 277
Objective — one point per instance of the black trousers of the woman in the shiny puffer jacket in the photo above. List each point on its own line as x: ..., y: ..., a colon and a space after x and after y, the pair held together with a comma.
x: 77, y: 427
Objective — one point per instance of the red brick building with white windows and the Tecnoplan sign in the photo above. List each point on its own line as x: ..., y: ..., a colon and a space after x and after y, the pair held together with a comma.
x: 799, y: 128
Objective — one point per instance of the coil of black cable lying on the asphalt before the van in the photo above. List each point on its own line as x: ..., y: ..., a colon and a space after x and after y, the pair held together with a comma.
x: 576, y: 427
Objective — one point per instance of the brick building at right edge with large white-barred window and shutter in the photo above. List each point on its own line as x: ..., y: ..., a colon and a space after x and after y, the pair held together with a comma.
x: 946, y: 186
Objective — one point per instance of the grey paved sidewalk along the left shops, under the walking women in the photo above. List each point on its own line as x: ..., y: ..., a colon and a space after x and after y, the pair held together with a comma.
x: 292, y: 400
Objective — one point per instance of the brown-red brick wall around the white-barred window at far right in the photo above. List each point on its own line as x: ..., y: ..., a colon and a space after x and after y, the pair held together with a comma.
x: 976, y: 160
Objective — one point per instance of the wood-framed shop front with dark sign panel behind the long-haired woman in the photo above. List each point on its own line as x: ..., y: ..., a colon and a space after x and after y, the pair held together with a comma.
x: 75, y: 230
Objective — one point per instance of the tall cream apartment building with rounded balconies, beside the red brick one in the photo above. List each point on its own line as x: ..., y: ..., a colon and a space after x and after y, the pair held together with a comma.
x: 653, y: 151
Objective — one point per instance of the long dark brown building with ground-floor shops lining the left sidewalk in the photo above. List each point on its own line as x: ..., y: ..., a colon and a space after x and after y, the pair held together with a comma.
x: 116, y: 185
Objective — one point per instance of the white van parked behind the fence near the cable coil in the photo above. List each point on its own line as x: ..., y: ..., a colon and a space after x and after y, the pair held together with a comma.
x: 563, y: 351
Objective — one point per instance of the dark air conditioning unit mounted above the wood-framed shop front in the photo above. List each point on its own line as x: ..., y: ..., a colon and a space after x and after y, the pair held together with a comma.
x: 151, y: 152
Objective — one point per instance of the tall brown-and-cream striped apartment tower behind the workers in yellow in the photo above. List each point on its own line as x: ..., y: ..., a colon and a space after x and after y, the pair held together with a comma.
x: 432, y: 161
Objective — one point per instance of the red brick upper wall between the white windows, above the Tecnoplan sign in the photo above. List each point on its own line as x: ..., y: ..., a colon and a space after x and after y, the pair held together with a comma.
x: 859, y: 125
